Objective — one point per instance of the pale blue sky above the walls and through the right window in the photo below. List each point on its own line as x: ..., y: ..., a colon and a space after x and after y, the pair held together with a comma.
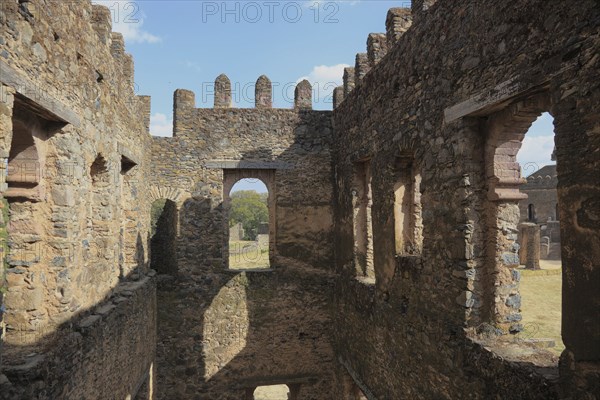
x: 187, y: 44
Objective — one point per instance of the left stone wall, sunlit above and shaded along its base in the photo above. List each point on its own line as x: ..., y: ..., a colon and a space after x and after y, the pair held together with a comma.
x: 75, y: 139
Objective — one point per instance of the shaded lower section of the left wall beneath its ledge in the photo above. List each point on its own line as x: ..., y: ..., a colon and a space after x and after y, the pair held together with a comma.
x: 96, y: 354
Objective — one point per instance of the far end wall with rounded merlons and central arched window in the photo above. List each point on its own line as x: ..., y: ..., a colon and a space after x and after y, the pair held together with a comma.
x: 225, y: 332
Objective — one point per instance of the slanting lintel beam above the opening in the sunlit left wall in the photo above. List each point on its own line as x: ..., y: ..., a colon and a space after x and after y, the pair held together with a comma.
x: 41, y: 104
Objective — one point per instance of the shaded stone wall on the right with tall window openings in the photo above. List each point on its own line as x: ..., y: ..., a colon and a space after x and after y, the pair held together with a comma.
x: 455, y: 95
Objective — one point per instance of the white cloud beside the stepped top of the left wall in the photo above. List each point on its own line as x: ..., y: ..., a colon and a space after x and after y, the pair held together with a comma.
x: 128, y: 19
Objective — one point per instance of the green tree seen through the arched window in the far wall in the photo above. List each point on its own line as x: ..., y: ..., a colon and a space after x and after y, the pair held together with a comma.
x: 250, y: 209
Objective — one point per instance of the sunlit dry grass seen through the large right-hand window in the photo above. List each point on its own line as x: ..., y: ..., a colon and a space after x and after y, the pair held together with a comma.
x: 541, y: 293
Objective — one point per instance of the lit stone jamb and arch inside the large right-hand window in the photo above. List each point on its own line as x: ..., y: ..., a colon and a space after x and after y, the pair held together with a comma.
x: 505, y: 132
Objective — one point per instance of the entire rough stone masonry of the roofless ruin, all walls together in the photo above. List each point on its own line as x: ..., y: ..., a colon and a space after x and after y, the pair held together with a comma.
x: 393, y: 220
